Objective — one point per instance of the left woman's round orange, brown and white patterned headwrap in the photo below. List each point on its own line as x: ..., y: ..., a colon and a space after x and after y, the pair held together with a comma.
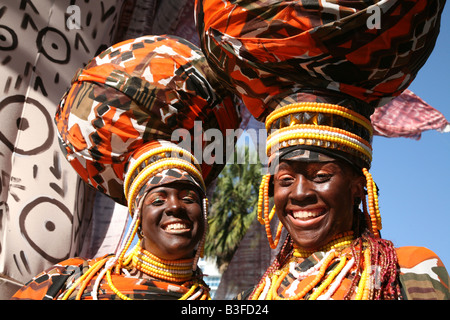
x: 119, y: 115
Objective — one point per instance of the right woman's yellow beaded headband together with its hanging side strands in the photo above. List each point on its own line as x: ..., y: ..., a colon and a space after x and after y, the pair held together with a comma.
x: 327, y: 127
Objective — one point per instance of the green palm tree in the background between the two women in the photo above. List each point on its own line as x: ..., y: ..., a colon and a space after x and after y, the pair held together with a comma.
x: 233, y: 208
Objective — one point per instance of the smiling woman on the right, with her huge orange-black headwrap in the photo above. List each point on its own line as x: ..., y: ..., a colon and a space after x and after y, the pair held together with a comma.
x: 314, y: 72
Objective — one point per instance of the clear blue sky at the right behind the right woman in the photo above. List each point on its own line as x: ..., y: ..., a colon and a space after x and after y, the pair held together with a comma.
x: 414, y: 176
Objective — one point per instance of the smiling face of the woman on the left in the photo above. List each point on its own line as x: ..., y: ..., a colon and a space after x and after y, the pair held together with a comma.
x: 172, y: 221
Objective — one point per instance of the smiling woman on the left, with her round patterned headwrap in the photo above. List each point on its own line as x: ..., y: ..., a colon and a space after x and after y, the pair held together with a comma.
x: 115, y: 126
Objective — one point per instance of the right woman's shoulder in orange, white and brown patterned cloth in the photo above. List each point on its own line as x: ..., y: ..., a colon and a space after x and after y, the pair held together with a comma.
x: 422, y: 274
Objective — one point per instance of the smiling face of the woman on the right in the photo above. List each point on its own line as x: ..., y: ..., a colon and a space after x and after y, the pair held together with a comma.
x: 315, y: 200
